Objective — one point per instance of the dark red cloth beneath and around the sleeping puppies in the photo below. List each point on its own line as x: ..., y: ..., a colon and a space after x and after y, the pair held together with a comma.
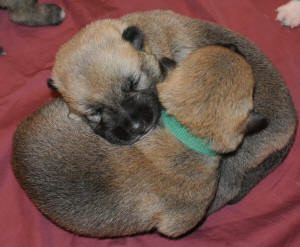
x: 268, y: 216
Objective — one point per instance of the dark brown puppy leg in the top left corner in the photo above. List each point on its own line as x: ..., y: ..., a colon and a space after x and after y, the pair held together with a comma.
x: 30, y: 13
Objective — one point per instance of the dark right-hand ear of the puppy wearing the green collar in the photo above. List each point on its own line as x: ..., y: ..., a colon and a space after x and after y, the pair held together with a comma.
x: 256, y: 122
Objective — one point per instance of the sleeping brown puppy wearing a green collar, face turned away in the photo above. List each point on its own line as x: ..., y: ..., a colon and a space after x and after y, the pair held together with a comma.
x: 165, y: 181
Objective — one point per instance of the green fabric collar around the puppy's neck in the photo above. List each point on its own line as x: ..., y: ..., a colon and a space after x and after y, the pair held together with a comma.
x: 183, y: 134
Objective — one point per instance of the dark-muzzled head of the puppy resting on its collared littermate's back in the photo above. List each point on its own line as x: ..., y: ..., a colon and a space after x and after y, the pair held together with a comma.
x: 105, y: 76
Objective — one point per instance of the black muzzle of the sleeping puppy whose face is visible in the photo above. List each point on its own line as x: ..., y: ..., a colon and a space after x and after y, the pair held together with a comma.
x: 137, y: 115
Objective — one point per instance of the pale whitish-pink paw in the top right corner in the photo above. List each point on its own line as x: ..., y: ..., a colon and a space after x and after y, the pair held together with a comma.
x: 289, y: 14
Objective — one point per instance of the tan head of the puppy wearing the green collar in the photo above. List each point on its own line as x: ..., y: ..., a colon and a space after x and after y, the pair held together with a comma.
x: 210, y: 92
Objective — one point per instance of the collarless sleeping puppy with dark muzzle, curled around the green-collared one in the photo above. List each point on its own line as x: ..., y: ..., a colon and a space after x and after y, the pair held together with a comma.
x: 89, y: 68
